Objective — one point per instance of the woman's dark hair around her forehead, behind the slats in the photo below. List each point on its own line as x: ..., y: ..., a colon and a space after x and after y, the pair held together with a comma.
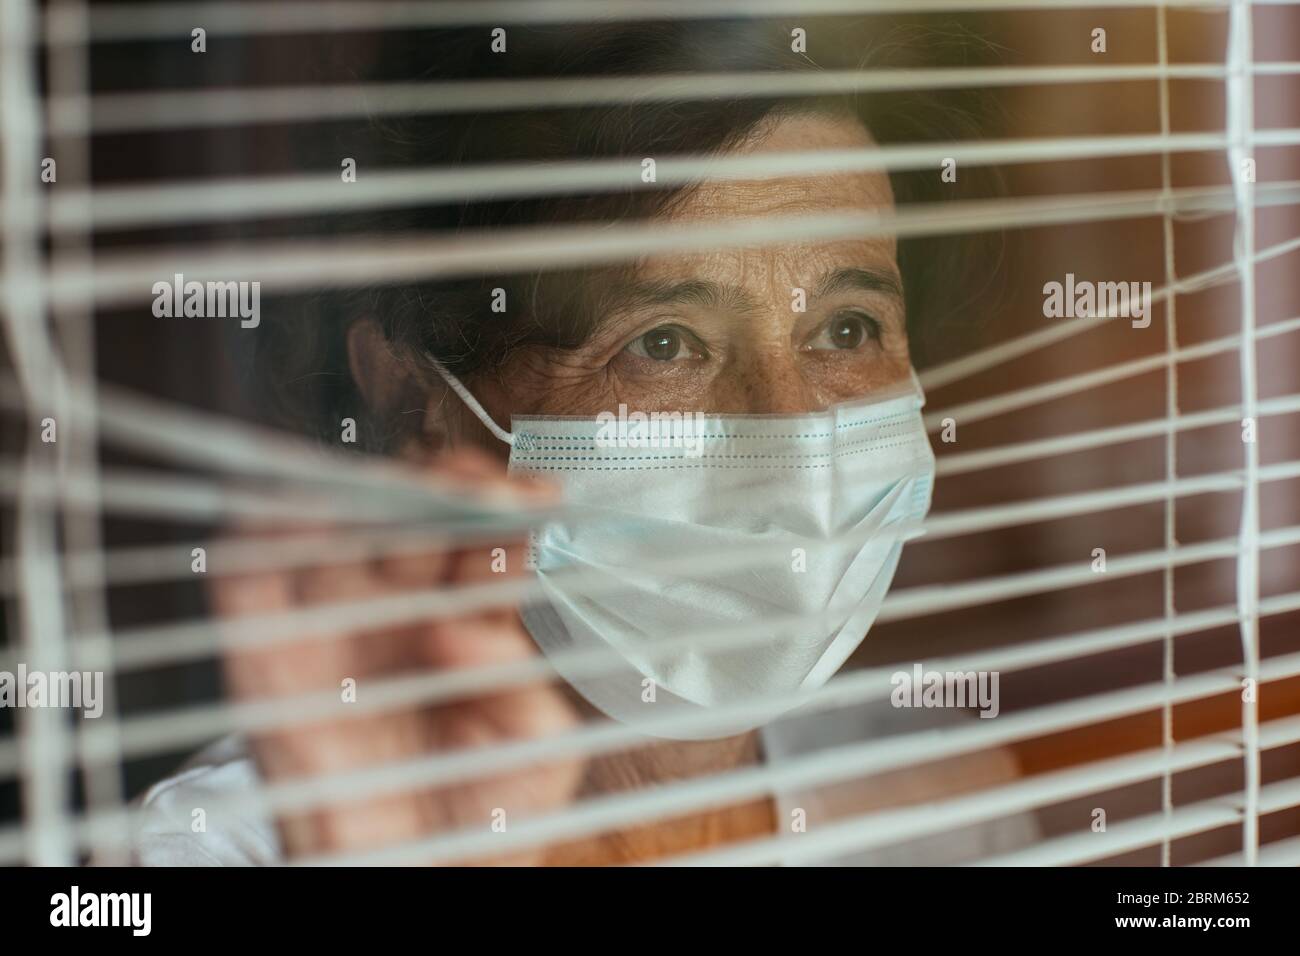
x: 300, y: 367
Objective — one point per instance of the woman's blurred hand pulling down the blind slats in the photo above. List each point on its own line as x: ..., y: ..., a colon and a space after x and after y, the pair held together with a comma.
x: 320, y: 663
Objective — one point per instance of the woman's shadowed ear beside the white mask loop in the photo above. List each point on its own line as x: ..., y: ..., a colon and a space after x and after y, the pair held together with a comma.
x: 395, y: 393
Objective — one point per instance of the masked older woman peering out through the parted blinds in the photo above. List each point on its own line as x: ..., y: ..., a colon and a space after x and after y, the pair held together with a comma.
x: 796, y: 456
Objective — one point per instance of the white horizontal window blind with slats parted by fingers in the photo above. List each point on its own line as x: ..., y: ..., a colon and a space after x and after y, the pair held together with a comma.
x: 81, y: 250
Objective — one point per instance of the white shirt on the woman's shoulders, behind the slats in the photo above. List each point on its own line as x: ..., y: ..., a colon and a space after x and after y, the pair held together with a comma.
x: 249, y: 837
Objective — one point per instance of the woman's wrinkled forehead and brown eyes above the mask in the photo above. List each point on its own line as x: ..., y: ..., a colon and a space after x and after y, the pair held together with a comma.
x: 718, y: 332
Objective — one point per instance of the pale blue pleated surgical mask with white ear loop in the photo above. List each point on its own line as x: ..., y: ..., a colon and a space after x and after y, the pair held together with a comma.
x: 717, y: 566
